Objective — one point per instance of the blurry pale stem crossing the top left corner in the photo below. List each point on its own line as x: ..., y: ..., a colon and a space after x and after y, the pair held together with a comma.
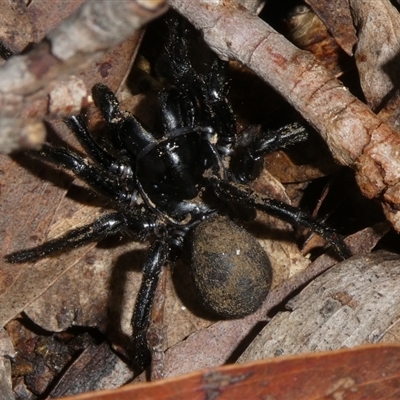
x: 92, y: 30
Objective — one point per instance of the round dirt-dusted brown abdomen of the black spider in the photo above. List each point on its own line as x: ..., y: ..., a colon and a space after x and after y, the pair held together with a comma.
x: 230, y: 268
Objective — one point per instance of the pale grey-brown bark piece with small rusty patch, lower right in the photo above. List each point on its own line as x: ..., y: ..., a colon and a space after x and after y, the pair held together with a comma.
x: 356, y: 302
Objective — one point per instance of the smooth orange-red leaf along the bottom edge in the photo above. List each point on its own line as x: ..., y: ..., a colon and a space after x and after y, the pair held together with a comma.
x: 368, y: 372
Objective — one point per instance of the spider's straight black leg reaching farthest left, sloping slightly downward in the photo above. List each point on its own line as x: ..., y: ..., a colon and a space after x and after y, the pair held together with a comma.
x: 104, y: 226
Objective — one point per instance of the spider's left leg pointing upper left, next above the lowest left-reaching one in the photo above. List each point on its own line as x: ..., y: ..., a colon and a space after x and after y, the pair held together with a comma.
x: 94, y: 176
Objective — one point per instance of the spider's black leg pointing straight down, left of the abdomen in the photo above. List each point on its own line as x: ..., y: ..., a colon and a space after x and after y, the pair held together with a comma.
x: 155, y: 259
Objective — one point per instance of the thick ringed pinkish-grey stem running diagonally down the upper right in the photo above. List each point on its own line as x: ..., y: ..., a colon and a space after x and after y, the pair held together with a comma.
x: 355, y: 135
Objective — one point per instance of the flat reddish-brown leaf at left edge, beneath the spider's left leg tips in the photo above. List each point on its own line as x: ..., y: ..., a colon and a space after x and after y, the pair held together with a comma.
x: 28, y: 206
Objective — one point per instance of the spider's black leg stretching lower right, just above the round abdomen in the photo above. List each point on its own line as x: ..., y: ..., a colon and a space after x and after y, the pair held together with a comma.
x: 239, y: 193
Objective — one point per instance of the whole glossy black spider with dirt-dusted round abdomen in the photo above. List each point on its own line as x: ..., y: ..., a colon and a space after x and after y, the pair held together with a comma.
x: 181, y: 180
